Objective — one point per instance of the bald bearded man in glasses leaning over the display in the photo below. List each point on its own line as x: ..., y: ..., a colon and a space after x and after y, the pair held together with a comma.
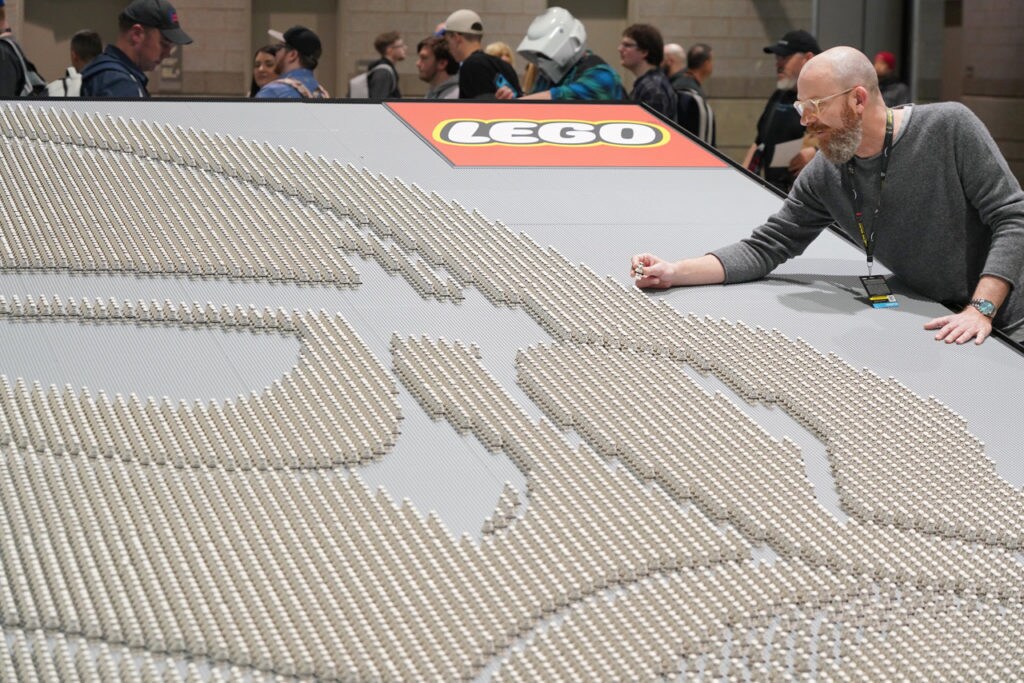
x: 922, y: 188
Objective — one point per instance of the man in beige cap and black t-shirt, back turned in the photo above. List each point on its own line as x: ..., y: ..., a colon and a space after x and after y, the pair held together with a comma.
x: 481, y: 75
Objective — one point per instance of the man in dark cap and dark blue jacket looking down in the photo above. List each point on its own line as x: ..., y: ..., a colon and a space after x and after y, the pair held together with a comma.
x: 147, y: 32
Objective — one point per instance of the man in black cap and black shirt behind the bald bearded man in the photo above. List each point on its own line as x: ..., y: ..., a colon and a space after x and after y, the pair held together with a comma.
x: 780, y: 121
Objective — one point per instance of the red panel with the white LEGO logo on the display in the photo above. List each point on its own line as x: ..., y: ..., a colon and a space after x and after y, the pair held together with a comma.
x: 535, y: 135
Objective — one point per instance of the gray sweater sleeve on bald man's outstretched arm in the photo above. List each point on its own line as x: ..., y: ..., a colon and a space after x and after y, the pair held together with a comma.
x: 785, y: 235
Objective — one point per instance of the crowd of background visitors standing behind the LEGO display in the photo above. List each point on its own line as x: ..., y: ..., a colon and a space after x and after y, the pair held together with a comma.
x: 455, y: 64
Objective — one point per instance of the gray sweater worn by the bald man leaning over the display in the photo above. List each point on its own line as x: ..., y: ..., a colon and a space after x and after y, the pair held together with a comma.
x: 952, y: 211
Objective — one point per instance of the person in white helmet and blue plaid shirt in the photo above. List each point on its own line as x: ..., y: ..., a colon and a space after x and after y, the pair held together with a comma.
x: 557, y: 45
